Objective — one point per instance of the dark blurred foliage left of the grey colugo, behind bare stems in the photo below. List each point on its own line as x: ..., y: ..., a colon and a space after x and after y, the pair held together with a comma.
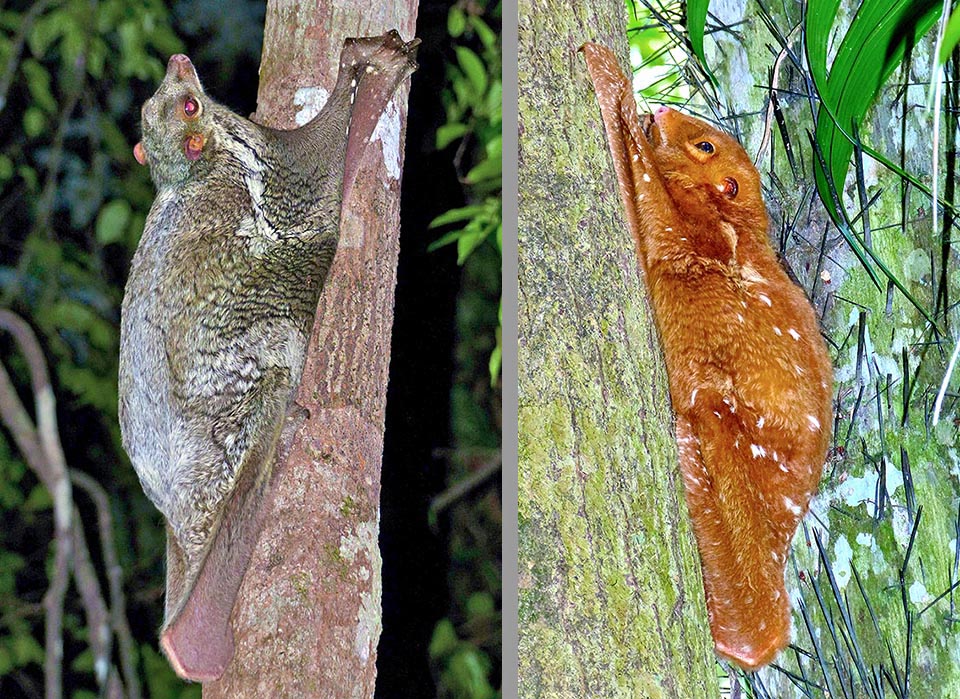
x: 73, y: 201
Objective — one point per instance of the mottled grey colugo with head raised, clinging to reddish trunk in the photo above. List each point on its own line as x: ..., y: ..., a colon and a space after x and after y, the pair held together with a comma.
x: 217, y: 315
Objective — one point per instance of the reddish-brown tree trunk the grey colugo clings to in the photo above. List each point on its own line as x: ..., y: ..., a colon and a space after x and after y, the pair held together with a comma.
x: 307, y: 620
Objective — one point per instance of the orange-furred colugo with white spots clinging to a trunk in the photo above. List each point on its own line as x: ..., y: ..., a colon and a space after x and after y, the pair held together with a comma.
x: 750, y: 379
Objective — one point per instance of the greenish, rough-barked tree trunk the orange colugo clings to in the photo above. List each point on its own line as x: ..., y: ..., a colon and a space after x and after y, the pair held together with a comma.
x: 611, y: 601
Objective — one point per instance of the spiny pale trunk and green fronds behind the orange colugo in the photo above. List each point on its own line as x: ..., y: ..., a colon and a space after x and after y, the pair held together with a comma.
x: 841, y: 103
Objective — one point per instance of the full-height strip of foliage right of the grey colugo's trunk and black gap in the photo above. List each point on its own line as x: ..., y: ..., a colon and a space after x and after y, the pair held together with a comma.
x: 466, y: 646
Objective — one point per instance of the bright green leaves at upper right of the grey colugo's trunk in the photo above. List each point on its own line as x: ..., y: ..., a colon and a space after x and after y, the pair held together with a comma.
x: 473, y: 102
